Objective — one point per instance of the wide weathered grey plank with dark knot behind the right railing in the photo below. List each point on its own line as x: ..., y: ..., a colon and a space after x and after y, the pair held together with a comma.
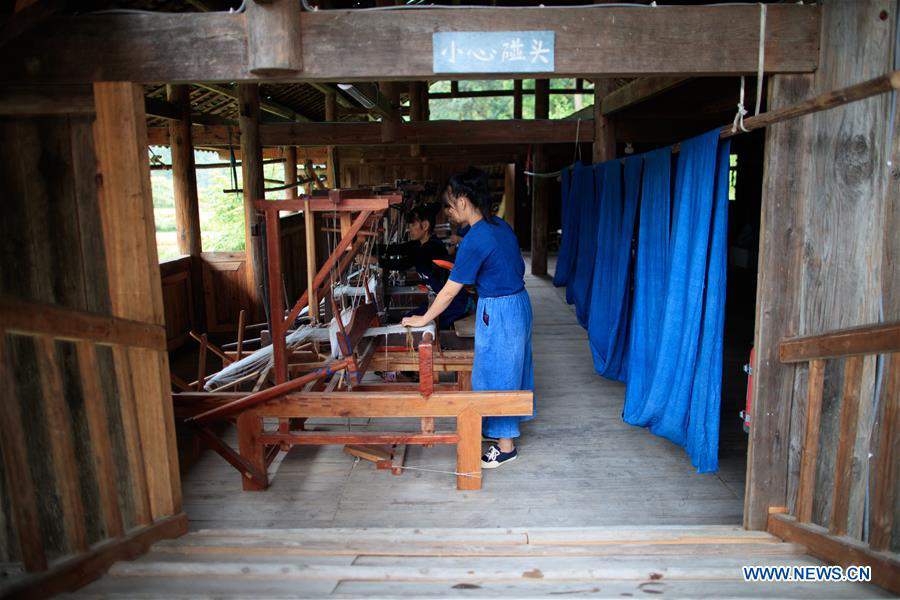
x: 841, y: 270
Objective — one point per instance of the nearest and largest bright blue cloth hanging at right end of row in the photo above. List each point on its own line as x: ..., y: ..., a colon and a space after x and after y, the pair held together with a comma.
x: 683, y: 389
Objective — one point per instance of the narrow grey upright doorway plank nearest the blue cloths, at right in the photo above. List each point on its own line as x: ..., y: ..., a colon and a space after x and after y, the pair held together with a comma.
x: 777, y: 436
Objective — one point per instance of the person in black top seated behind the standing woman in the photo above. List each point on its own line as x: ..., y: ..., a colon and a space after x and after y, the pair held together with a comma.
x: 419, y: 253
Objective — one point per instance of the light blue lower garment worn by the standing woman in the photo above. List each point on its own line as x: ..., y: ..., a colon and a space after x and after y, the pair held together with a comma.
x: 503, y: 359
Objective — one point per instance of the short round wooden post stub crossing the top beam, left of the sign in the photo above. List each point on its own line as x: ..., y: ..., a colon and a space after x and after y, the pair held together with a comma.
x: 273, y: 37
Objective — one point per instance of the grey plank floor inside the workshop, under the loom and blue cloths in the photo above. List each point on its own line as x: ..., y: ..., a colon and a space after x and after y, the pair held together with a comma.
x: 580, y: 465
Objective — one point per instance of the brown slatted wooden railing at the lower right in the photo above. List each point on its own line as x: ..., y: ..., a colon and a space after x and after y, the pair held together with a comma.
x: 833, y: 543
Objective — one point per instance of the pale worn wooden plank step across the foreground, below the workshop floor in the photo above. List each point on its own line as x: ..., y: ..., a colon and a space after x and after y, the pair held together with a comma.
x: 612, y: 562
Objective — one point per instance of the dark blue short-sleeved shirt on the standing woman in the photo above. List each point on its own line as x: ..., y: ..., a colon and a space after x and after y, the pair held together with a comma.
x: 489, y: 257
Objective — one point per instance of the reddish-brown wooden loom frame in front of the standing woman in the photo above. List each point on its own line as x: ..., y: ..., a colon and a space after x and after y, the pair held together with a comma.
x: 306, y: 386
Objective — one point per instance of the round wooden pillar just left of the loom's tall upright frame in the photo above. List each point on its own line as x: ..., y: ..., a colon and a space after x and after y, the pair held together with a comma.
x: 252, y: 174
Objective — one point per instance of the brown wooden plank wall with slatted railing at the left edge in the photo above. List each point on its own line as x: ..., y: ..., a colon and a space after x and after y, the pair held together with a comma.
x: 87, y: 453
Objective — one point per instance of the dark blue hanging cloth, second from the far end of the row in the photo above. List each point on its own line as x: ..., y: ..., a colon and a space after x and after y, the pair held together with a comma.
x: 578, y: 290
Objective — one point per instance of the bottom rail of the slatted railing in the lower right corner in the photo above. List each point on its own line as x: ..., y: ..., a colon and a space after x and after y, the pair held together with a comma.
x: 843, y: 551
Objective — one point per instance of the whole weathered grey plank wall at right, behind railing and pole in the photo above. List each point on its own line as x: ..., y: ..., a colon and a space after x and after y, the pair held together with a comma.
x: 825, y: 258
